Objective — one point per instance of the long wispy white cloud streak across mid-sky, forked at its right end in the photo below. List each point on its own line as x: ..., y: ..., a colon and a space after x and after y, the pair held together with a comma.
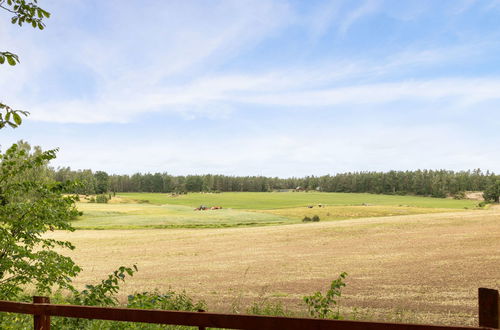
x: 326, y: 84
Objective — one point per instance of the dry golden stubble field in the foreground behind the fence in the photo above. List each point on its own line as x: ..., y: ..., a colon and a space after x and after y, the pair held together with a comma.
x: 417, y: 268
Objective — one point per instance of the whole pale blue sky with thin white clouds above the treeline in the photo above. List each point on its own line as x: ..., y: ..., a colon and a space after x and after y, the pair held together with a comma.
x: 274, y: 88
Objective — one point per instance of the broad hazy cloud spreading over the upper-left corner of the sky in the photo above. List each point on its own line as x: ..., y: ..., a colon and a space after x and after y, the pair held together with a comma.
x: 136, y: 51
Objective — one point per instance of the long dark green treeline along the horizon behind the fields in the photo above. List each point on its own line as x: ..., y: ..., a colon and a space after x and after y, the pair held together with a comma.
x: 439, y: 183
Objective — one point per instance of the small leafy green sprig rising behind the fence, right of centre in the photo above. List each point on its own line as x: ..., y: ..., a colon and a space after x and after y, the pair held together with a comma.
x: 320, y: 306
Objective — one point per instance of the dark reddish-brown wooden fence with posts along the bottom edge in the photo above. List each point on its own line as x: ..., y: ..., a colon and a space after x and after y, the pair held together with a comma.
x: 42, y: 310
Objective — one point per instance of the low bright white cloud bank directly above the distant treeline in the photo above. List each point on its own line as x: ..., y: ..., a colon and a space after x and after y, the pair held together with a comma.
x: 286, y: 153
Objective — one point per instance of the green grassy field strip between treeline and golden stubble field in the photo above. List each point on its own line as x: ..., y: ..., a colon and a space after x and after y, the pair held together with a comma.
x: 150, y: 210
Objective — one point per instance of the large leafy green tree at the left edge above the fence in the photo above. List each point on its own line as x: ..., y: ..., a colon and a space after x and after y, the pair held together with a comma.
x: 31, y: 205
